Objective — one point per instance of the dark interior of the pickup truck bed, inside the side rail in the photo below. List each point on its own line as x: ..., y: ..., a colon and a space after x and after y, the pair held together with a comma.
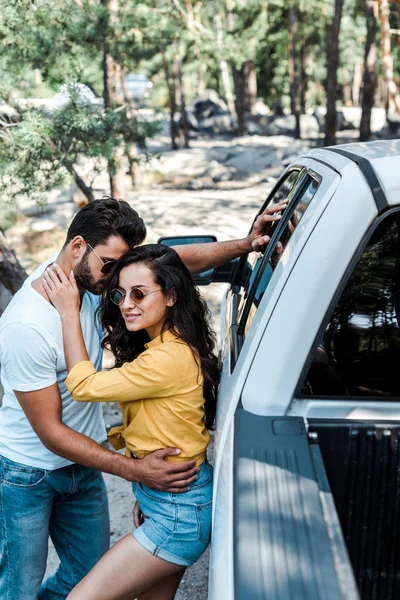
x: 362, y: 463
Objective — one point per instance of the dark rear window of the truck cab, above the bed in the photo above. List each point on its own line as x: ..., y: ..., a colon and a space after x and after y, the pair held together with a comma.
x: 358, y: 353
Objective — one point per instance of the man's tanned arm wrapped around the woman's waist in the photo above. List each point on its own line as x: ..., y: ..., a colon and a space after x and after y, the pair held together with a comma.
x: 43, y: 409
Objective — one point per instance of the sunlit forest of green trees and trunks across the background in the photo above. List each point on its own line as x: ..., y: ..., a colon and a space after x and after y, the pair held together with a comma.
x: 290, y: 56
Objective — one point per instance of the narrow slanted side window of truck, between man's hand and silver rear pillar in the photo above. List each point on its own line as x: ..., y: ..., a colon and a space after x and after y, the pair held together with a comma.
x: 258, y: 282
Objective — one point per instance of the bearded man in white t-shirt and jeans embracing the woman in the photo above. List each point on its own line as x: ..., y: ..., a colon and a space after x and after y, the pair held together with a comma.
x: 51, y: 455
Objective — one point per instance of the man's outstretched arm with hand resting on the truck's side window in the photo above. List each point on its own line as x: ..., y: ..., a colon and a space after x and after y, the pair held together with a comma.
x: 201, y: 257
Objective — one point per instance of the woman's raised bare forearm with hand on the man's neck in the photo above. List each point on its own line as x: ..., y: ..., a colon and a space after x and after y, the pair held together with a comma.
x: 64, y: 295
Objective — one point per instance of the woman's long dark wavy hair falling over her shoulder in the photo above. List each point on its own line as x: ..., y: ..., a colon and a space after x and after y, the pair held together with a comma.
x: 189, y: 317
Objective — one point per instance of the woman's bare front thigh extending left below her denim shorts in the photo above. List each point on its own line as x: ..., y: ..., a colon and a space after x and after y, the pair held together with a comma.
x: 125, y: 572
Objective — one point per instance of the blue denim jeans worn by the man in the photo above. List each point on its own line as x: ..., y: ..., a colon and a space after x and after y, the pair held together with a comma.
x: 69, y: 505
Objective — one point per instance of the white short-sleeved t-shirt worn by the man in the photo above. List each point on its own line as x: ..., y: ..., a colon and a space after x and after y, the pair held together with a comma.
x: 32, y: 358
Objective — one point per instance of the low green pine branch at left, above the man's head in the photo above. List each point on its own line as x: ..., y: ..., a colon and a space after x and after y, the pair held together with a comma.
x: 45, y: 148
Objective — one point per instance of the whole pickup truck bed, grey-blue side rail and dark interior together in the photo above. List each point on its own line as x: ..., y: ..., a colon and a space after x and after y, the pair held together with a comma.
x: 316, y: 509
